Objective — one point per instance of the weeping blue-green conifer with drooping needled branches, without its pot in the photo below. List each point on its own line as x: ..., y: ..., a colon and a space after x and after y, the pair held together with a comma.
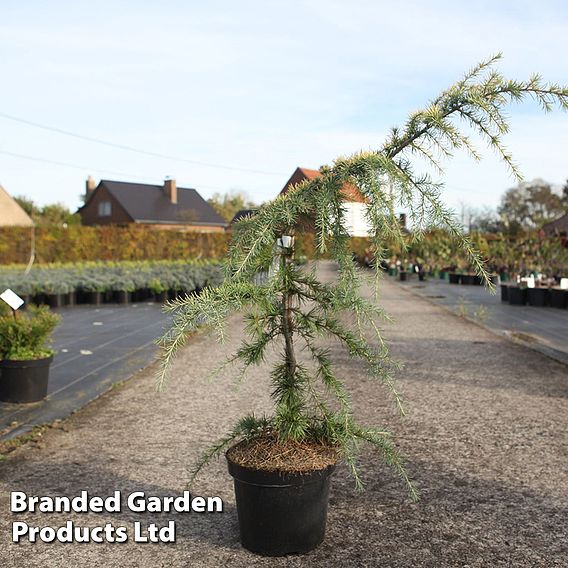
x: 292, y: 310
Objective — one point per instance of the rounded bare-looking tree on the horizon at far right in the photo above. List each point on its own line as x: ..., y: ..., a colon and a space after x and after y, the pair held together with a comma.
x: 529, y: 205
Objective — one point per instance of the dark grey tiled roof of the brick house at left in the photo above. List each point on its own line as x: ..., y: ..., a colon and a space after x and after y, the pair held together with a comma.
x: 148, y: 203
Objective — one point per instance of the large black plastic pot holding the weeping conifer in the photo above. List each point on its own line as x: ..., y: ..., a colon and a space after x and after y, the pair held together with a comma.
x: 281, y: 513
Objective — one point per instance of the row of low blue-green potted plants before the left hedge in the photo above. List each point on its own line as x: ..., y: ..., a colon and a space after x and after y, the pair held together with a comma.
x: 98, y: 282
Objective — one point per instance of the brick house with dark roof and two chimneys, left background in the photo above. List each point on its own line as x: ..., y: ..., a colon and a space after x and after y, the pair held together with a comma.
x: 160, y: 206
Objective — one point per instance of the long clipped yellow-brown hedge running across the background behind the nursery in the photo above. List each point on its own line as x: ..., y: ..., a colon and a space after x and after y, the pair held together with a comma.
x: 81, y: 244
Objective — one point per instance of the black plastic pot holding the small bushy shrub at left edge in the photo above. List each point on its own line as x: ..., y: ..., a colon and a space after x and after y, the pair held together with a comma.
x: 24, y: 381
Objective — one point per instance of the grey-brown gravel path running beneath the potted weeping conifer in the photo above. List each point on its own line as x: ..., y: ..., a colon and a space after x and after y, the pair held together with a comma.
x: 486, y: 438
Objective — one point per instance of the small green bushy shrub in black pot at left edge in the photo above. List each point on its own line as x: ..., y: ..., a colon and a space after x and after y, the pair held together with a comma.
x: 25, y: 355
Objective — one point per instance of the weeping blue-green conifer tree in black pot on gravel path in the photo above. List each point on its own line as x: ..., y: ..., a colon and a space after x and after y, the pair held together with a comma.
x: 281, y: 463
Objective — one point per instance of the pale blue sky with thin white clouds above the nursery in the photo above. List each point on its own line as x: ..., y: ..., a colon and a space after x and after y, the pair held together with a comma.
x: 257, y: 85
